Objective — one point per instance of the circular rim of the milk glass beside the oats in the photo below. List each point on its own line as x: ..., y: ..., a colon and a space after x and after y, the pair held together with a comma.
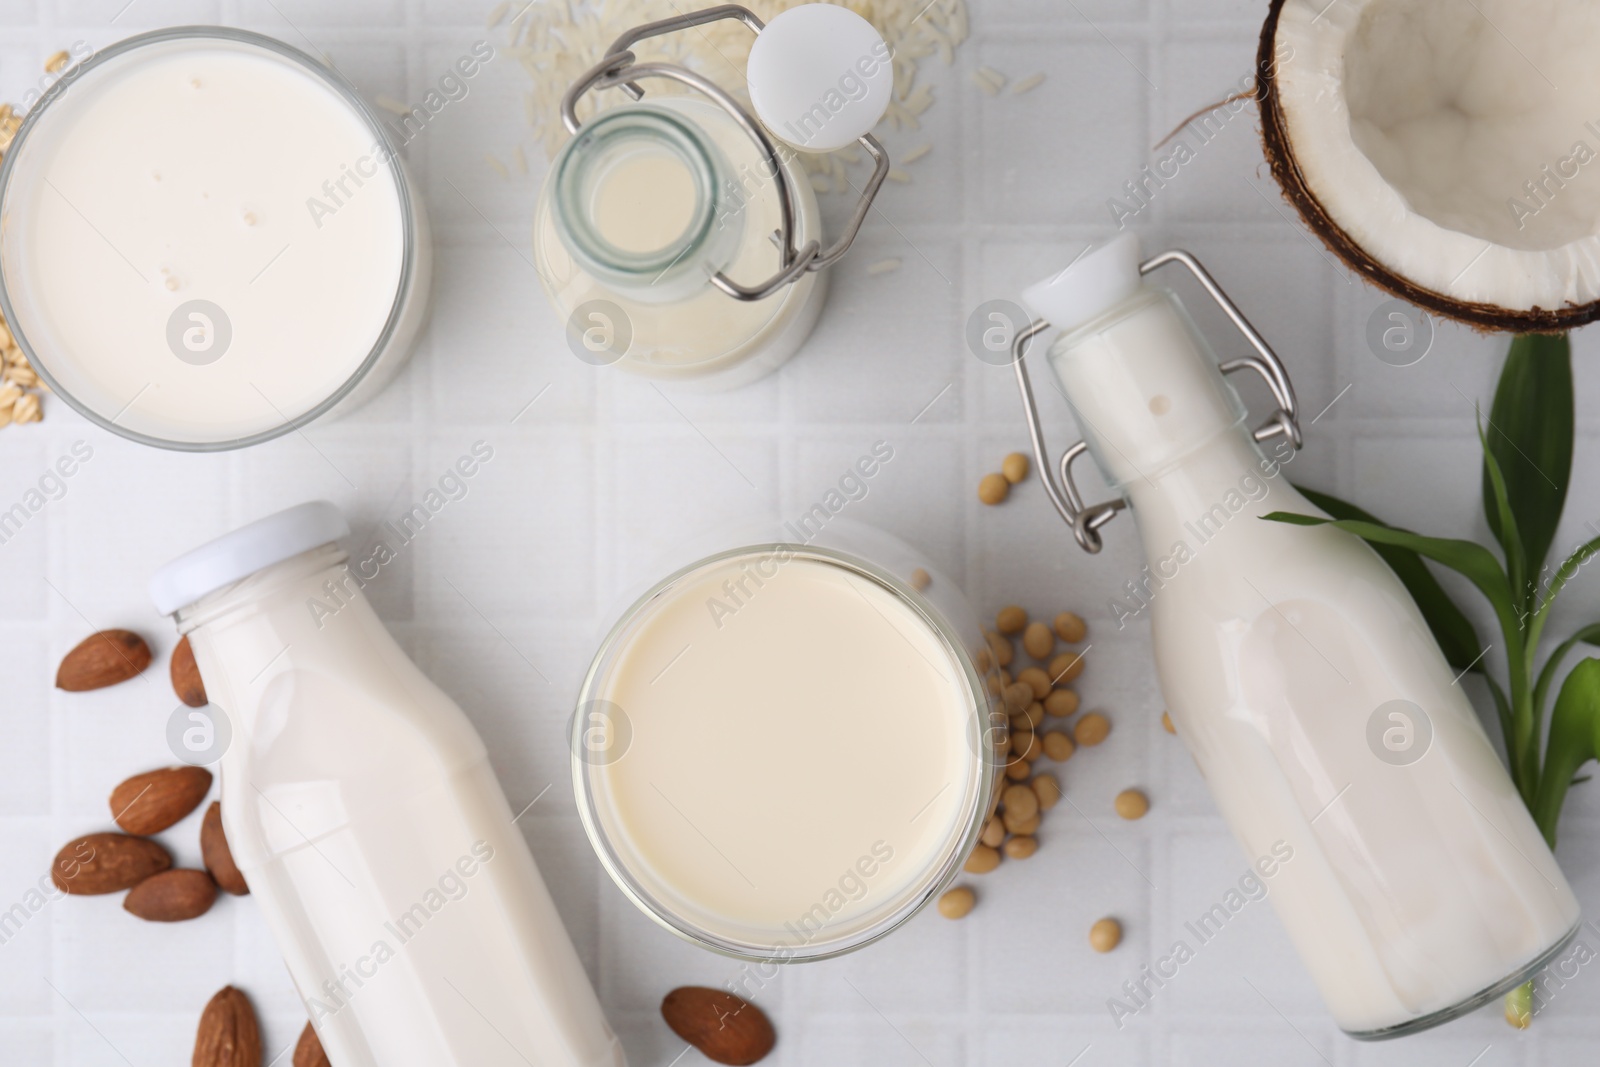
x: 343, y: 89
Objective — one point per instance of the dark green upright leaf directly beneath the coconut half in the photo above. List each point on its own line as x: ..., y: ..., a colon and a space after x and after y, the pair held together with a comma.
x: 1530, y: 436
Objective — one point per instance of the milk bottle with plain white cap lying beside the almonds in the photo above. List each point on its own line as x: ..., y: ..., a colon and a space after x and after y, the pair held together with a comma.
x: 362, y: 810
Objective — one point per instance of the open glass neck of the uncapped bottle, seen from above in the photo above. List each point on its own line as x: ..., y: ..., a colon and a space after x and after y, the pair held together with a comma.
x: 641, y: 202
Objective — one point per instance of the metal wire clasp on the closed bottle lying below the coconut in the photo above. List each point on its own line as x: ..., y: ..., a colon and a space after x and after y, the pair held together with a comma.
x: 1087, y: 519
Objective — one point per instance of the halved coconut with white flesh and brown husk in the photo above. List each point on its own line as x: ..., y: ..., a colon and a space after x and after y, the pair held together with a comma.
x: 1446, y: 150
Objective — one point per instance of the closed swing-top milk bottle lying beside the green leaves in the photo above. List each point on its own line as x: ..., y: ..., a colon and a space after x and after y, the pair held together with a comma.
x: 1298, y: 671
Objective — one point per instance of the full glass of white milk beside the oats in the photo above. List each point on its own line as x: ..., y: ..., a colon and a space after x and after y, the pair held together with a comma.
x: 210, y: 241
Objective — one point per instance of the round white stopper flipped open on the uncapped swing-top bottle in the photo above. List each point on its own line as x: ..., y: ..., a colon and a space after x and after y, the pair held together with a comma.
x: 820, y: 78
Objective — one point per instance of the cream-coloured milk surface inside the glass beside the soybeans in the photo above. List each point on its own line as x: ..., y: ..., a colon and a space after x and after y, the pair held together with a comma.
x: 782, y: 735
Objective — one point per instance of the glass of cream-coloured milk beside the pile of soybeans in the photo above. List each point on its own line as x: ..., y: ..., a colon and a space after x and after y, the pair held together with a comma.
x: 785, y: 749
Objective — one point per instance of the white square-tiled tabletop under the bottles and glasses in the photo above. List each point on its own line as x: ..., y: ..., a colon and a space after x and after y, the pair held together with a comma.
x: 602, y: 470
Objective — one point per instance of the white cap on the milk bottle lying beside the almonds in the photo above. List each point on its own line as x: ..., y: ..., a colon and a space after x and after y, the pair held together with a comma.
x: 244, y: 553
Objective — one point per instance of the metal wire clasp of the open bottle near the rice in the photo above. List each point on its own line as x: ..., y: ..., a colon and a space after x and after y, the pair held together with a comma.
x: 622, y: 70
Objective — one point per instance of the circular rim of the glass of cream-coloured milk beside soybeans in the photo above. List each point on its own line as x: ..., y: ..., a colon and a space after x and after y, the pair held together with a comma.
x: 908, y: 901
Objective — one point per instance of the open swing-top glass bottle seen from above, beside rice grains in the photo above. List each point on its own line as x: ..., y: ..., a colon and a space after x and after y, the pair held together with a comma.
x: 679, y: 236
